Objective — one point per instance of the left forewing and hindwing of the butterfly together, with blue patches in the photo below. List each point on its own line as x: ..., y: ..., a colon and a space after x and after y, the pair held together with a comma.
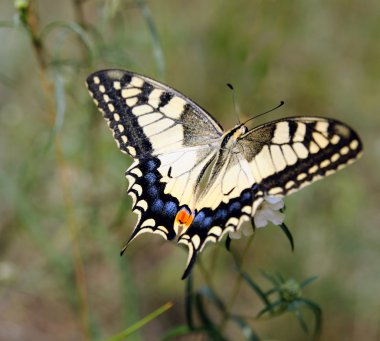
x: 171, y: 139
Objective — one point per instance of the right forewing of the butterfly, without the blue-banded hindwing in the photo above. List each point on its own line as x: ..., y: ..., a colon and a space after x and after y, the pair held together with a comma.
x: 288, y: 154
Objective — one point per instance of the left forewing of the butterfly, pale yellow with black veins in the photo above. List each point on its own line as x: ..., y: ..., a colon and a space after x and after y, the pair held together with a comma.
x: 147, y: 117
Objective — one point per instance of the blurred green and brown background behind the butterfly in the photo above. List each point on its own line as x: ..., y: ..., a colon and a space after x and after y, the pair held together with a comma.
x: 64, y: 212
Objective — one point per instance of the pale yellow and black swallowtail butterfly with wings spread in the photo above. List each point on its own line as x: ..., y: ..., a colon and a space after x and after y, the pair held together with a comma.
x: 192, y: 180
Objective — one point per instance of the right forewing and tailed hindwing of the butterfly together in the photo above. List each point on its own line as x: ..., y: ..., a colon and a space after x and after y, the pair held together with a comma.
x: 274, y: 159
